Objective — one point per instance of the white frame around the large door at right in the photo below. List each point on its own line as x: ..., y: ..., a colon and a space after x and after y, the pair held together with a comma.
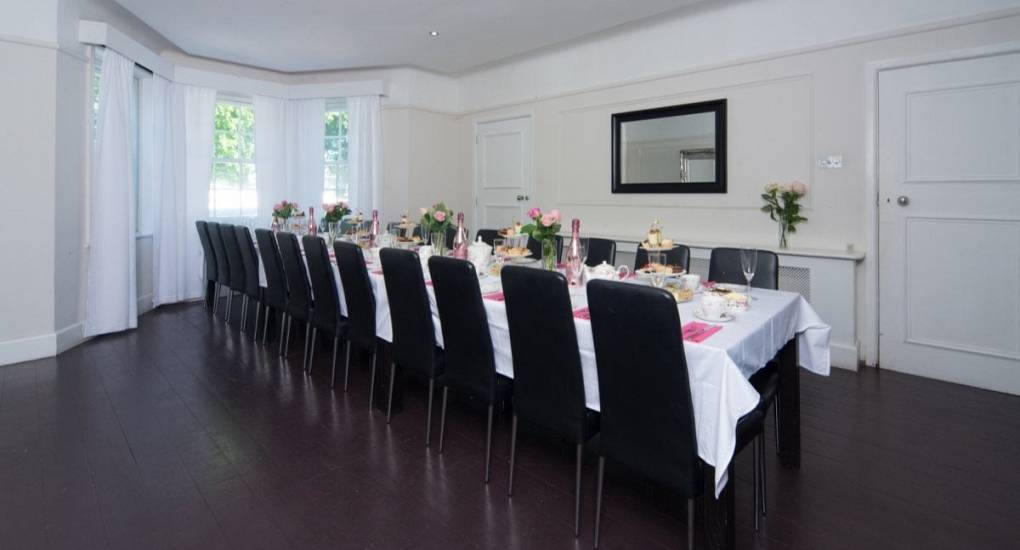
x: 873, y: 354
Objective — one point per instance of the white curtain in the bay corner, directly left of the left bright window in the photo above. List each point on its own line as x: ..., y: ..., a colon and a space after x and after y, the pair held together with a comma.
x: 183, y: 119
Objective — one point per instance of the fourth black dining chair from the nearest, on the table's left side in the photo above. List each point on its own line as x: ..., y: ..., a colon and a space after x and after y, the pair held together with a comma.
x: 415, y: 346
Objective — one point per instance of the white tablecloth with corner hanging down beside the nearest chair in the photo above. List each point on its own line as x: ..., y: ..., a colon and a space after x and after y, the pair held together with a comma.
x: 720, y: 367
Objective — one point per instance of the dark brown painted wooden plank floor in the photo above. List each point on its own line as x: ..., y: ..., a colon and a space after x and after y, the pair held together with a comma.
x: 180, y: 435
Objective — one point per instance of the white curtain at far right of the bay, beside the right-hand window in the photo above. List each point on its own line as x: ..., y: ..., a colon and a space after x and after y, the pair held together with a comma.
x: 365, y: 152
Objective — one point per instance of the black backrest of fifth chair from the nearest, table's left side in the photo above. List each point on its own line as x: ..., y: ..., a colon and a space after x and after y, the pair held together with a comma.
x: 359, y: 294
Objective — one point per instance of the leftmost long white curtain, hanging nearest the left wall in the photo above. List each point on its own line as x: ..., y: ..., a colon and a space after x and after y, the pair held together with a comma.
x: 112, y: 296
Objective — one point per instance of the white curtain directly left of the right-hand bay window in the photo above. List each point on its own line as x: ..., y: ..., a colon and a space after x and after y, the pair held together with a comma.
x: 305, y: 153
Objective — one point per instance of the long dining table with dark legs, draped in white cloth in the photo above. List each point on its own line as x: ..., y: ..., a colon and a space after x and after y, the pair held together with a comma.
x: 779, y: 325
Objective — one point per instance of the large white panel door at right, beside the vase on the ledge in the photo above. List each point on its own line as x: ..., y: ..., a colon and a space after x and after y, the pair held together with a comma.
x: 949, y: 157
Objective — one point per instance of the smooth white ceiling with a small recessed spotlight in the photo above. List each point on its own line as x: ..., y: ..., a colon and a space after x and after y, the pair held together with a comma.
x: 321, y: 35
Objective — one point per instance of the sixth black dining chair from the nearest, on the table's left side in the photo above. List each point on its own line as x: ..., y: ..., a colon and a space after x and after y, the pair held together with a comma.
x: 326, y: 316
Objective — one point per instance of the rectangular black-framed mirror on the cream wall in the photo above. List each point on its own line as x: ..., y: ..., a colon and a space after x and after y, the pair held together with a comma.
x: 677, y: 149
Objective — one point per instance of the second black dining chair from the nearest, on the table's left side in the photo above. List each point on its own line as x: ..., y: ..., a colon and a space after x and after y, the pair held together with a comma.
x: 549, y: 387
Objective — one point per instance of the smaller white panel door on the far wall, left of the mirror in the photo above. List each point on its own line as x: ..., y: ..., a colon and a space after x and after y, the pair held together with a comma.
x: 503, y: 170
